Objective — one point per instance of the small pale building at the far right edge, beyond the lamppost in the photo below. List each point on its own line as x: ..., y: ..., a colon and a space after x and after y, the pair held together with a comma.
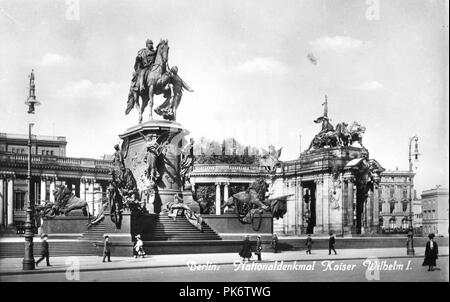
x: 435, y: 211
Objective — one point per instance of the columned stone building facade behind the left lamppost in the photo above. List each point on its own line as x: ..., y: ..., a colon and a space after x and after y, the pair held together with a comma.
x: 88, y: 178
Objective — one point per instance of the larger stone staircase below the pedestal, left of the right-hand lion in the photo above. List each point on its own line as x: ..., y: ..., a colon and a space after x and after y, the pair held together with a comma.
x: 165, y: 228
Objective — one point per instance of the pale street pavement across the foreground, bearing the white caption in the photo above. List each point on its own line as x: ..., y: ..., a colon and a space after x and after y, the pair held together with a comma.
x: 347, y: 265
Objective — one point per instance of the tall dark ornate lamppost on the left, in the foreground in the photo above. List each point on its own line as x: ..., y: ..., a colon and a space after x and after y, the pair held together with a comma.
x: 28, y: 260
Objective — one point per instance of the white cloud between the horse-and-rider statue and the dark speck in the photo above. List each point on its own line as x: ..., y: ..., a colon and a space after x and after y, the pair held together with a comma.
x: 262, y: 65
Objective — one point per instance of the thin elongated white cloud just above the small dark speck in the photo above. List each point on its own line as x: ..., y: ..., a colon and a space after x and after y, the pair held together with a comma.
x: 338, y: 44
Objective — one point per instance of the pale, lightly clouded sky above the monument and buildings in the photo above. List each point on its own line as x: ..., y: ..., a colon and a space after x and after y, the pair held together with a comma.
x: 260, y: 71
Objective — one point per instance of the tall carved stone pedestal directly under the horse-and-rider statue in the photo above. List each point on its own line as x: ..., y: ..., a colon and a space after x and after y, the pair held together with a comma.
x: 168, y: 164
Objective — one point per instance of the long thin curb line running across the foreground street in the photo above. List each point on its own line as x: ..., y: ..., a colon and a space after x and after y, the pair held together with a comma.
x: 183, y: 265
